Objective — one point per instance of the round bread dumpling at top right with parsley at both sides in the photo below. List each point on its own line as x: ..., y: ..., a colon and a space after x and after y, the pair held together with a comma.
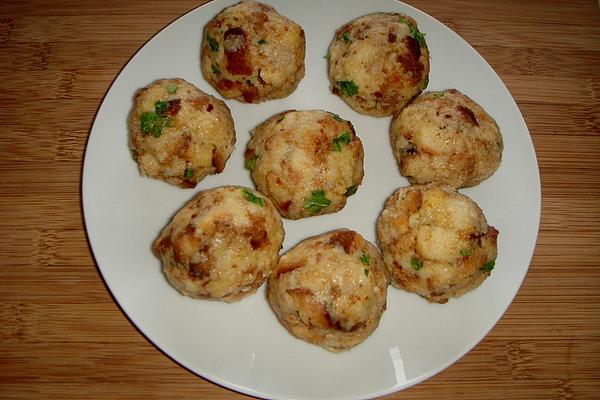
x: 378, y: 62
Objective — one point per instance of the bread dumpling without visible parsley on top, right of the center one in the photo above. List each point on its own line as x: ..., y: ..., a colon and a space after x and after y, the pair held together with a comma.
x: 447, y: 138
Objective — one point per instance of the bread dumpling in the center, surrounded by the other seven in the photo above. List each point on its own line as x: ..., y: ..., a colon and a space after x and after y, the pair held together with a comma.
x: 307, y: 162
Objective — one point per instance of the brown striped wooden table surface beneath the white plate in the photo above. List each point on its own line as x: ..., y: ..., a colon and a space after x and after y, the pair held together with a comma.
x: 63, y: 336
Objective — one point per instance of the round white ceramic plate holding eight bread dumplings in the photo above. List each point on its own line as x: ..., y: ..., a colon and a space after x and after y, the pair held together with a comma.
x: 242, y: 346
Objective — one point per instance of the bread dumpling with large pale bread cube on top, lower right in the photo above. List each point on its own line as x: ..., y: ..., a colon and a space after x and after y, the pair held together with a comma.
x: 435, y: 242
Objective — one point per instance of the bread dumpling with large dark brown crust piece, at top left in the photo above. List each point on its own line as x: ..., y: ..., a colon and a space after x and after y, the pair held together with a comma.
x: 251, y: 53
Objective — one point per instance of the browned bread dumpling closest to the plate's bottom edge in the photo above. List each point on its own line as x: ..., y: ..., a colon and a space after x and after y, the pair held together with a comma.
x: 330, y: 290
